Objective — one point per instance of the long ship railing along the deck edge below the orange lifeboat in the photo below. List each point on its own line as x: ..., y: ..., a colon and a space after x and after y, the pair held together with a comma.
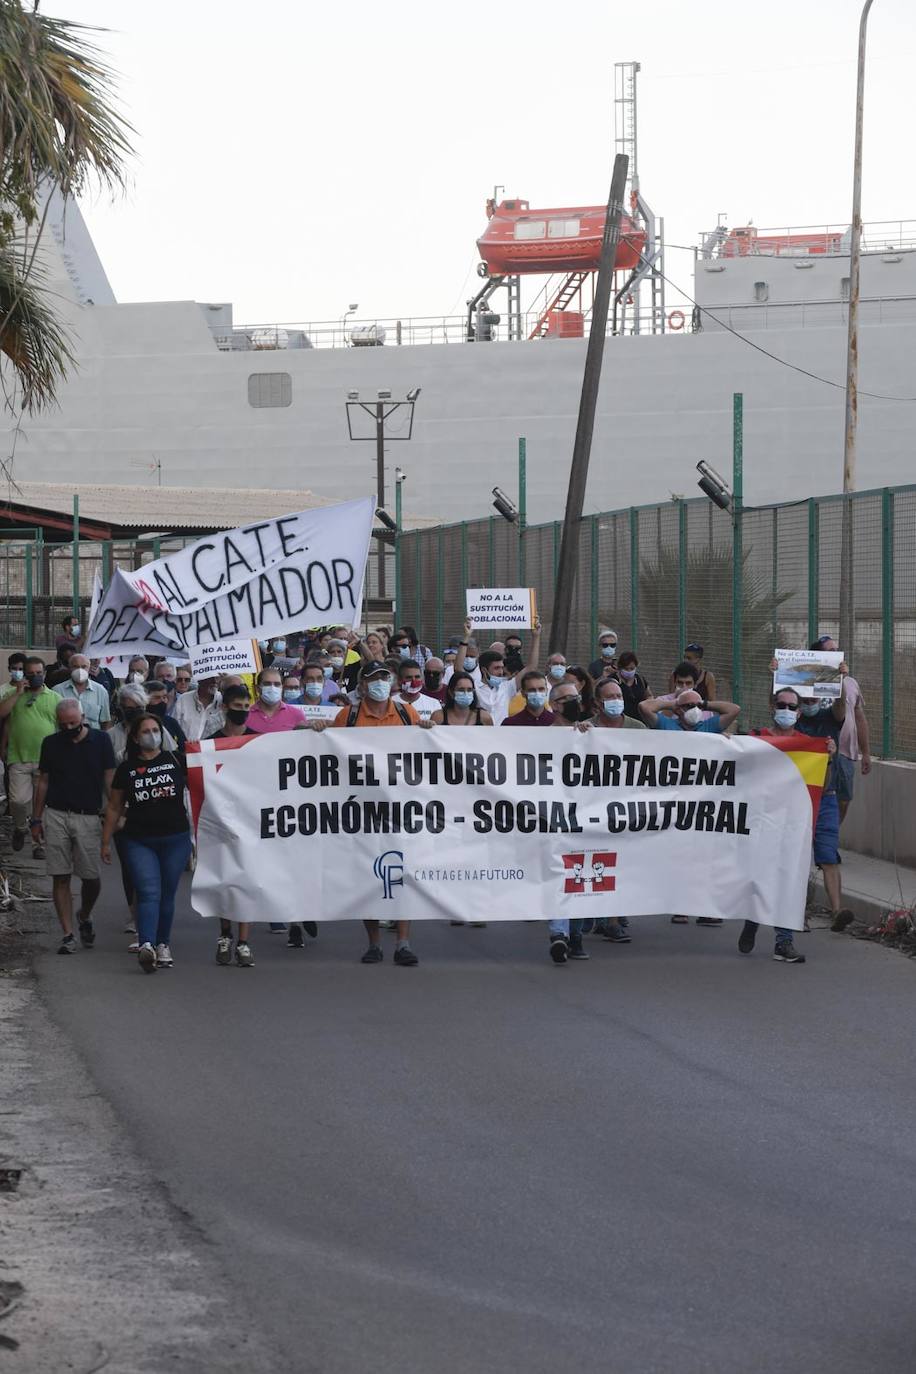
x: 391, y: 333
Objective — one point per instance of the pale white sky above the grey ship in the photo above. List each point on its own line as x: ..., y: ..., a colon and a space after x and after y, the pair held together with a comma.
x: 296, y: 159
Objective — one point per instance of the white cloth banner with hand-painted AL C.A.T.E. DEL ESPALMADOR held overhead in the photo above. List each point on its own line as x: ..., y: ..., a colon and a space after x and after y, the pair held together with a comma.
x: 295, y: 572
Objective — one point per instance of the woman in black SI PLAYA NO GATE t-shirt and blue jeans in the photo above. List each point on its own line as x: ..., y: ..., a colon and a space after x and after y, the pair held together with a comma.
x: 157, y: 837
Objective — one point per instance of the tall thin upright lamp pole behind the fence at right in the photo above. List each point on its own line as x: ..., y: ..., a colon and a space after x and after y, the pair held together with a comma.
x: 847, y: 629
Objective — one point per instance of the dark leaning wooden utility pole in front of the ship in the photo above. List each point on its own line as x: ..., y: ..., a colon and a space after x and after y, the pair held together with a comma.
x: 588, y: 403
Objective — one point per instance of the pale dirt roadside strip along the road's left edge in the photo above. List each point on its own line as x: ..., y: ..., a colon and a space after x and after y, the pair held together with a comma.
x: 98, y: 1269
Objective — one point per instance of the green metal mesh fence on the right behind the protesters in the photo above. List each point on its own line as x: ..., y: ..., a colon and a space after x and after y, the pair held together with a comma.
x: 664, y: 576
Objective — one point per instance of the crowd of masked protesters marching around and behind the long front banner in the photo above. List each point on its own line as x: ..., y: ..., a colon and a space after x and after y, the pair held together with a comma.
x: 95, y: 762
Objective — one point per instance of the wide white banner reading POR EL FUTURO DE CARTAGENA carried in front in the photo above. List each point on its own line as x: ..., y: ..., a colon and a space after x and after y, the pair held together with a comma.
x: 410, y: 824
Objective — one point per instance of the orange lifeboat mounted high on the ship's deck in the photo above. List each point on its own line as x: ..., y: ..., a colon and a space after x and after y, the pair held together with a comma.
x: 568, y: 240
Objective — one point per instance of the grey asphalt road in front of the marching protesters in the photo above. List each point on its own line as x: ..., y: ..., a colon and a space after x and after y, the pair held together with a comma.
x: 668, y: 1160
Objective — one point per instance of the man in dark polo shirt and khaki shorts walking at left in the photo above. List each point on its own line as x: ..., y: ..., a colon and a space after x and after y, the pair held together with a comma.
x: 75, y: 776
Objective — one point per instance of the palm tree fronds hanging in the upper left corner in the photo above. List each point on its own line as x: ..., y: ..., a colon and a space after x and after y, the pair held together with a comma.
x: 58, y: 131
